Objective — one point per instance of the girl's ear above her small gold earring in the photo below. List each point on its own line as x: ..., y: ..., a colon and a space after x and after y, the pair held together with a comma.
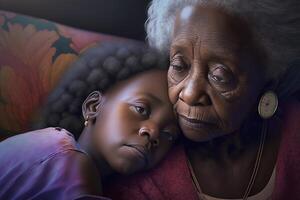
x: 91, y: 105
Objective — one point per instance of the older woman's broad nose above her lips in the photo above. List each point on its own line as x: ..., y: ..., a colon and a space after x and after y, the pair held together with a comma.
x: 194, y: 93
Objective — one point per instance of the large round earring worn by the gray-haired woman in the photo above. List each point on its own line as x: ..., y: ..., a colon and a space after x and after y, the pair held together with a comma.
x: 268, y: 104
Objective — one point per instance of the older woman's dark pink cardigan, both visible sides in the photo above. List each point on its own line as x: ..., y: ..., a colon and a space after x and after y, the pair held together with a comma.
x: 172, y: 180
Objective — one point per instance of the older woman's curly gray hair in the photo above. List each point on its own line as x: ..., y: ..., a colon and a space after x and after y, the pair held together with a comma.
x: 275, y: 25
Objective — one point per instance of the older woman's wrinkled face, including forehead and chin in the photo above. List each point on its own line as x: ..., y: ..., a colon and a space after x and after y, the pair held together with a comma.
x: 215, y: 75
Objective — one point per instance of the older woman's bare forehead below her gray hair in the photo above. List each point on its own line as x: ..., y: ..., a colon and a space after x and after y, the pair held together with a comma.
x: 209, y: 27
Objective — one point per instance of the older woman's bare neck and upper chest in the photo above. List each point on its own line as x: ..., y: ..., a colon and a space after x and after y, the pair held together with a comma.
x: 224, y: 166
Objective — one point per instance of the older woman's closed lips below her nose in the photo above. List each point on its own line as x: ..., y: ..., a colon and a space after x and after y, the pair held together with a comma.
x: 195, y: 123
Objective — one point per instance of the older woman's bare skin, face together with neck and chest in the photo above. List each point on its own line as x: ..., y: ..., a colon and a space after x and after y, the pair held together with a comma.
x: 215, y: 80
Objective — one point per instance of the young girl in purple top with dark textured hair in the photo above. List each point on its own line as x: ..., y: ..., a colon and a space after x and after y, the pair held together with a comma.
x: 129, y: 126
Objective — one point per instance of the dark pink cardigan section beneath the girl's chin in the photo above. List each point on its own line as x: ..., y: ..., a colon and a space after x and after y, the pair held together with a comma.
x: 170, y: 180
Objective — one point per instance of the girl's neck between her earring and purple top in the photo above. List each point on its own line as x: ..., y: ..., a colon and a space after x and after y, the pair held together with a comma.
x: 86, y: 143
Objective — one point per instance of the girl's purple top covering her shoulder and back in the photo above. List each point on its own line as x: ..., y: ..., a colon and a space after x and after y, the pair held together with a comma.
x: 45, y: 164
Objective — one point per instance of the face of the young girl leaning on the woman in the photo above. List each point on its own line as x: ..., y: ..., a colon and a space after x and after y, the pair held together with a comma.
x: 136, y: 125
